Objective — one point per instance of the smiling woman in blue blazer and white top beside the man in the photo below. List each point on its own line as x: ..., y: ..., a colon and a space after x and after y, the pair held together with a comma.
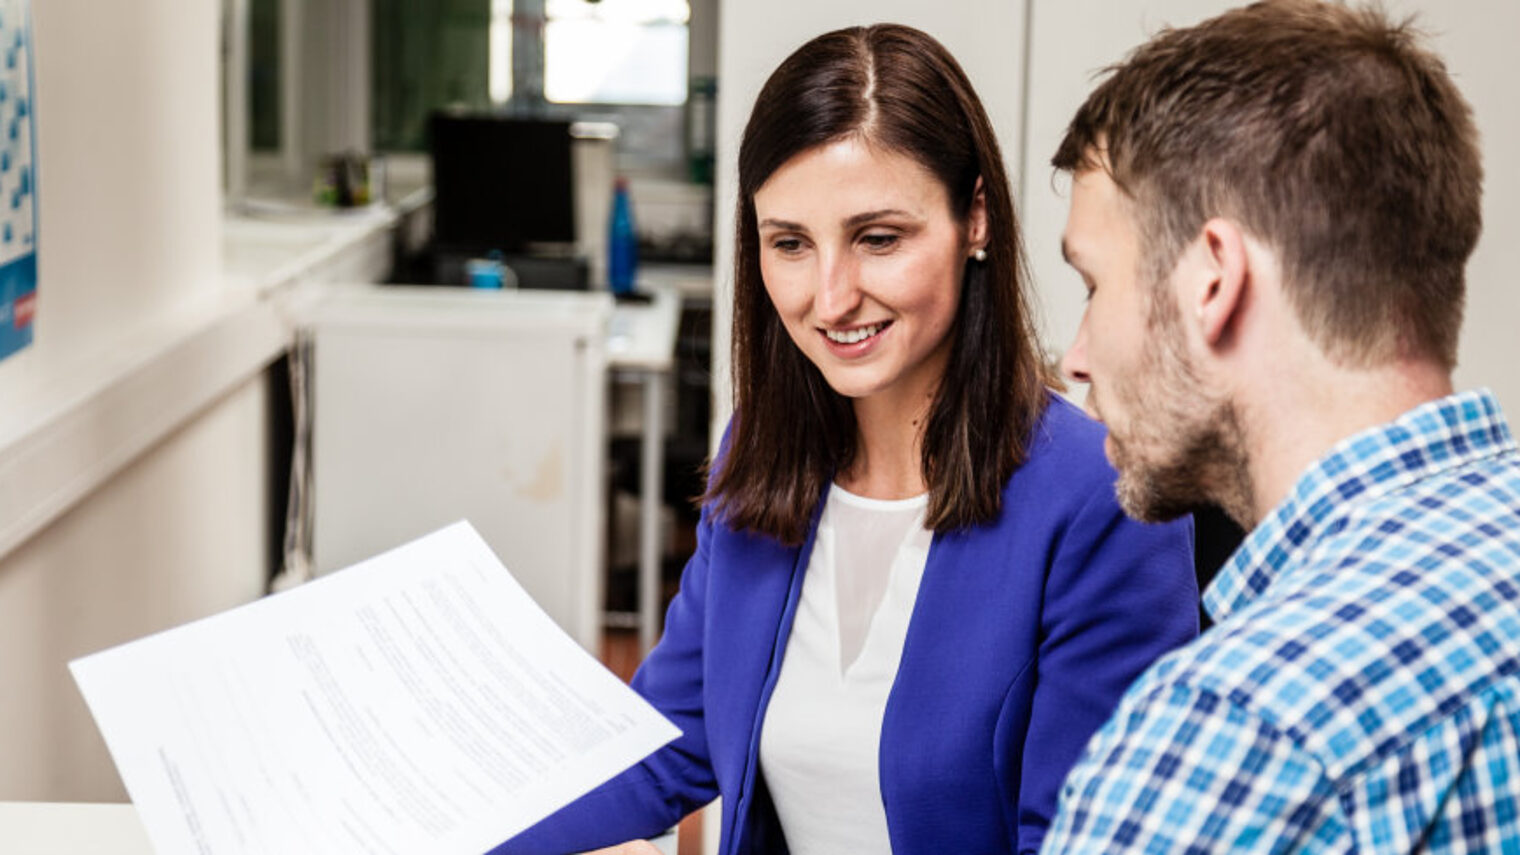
x: 914, y: 597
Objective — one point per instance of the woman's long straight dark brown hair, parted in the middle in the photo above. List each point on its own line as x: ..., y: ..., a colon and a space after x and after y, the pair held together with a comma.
x: 901, y: 91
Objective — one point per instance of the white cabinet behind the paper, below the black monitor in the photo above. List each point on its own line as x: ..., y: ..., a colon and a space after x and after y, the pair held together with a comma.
x: 437, y: 404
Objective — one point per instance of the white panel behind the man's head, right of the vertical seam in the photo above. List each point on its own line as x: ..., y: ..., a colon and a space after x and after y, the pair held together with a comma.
x: 1071, y: 40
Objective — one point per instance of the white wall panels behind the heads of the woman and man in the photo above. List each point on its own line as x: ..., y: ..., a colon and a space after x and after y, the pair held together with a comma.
x: 1069, y: 42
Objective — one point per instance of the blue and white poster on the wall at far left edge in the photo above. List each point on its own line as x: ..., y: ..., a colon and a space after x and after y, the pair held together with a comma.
x: 17, y: 179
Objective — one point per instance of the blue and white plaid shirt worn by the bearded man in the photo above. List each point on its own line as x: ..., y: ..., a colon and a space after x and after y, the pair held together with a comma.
x: 1361, y: 691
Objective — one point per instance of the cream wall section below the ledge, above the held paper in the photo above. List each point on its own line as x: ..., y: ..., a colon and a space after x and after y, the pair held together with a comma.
x: 176, y: 536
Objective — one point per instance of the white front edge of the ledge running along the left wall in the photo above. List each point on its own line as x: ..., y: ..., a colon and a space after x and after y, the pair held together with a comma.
x: 69, y: 451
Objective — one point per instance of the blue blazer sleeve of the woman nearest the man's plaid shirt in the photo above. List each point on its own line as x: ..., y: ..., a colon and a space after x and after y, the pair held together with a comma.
x: 1119, y: 594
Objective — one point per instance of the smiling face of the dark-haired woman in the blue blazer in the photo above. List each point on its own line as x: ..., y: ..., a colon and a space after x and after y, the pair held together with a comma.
x: 863, y: 261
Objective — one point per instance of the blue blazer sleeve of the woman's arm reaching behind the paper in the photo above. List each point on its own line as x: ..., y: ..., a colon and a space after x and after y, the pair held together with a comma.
x: 654, y: 795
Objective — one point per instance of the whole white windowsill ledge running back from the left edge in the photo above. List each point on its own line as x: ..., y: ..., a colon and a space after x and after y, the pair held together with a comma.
x: 71, y: 430
